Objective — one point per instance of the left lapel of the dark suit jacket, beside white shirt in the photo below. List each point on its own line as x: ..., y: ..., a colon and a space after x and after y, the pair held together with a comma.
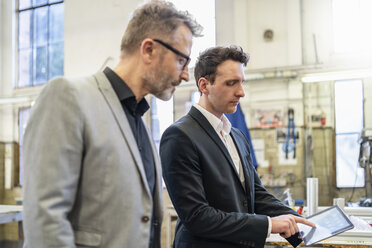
x: 204, y: 123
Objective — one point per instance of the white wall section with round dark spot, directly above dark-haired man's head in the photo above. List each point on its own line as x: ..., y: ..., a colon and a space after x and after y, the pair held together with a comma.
x: 243, y: 22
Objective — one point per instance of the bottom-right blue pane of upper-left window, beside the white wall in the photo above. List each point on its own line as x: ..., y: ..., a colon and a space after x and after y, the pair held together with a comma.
x: 56, y: 59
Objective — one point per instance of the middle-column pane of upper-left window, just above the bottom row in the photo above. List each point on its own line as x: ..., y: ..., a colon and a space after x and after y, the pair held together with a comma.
x: 41, y: 26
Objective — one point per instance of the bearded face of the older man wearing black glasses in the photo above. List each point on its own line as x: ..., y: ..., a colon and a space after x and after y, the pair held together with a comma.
x: 171, y: 68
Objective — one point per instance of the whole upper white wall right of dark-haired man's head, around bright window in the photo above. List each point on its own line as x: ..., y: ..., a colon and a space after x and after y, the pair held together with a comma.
x: 303, y: 33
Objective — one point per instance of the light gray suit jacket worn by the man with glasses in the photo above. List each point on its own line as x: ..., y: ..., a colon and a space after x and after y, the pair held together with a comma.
x: 85, y: 184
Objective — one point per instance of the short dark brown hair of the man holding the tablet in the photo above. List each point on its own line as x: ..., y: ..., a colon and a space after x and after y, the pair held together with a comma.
x: 208, y: 61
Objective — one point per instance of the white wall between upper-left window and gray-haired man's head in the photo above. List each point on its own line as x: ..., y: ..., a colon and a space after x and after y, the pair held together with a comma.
x: 93, y: 31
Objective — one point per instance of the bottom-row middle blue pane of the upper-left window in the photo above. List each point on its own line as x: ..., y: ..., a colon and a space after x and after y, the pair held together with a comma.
x: 40, y: 66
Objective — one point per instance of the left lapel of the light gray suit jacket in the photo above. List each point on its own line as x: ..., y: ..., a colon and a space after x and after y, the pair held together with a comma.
x: 112, y: 100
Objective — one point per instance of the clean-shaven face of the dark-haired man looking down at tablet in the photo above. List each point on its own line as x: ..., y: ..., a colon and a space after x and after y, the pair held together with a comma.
x: 224, y: 94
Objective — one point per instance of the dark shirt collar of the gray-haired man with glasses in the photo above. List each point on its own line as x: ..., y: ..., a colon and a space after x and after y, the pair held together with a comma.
x: 125, y: 94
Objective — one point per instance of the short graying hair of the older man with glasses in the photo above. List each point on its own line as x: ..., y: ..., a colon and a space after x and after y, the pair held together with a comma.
x: 156, y: 19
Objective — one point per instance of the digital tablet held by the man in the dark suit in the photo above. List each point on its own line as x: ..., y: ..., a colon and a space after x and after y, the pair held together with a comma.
x: 329, y: 222
